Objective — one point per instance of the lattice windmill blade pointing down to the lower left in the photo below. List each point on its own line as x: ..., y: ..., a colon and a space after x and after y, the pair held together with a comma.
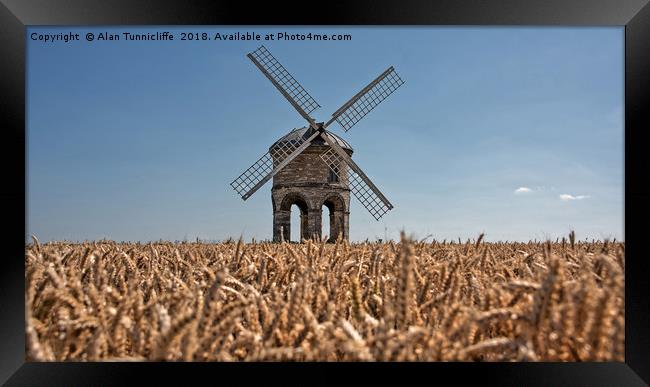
x: 269, y: 164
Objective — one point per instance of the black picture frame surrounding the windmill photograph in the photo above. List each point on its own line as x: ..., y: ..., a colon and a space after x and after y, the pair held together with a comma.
x: 17, y: 15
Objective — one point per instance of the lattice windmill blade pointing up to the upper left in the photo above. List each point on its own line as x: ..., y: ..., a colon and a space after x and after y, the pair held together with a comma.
x: 293, y: 91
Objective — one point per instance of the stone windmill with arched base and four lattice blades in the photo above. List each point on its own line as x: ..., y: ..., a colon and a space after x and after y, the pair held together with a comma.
x: 312, y: 167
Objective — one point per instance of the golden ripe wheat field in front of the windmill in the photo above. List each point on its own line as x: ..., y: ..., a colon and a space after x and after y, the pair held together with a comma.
x: 397, y: 301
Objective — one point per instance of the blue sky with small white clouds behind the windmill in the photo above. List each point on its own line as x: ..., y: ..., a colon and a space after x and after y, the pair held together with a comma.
x: 515, y: 132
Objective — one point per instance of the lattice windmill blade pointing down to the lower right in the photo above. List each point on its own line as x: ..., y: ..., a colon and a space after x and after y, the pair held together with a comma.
x: 360, y: 185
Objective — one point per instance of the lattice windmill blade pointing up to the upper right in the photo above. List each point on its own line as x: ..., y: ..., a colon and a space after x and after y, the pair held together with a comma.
x: 367, y: 99
